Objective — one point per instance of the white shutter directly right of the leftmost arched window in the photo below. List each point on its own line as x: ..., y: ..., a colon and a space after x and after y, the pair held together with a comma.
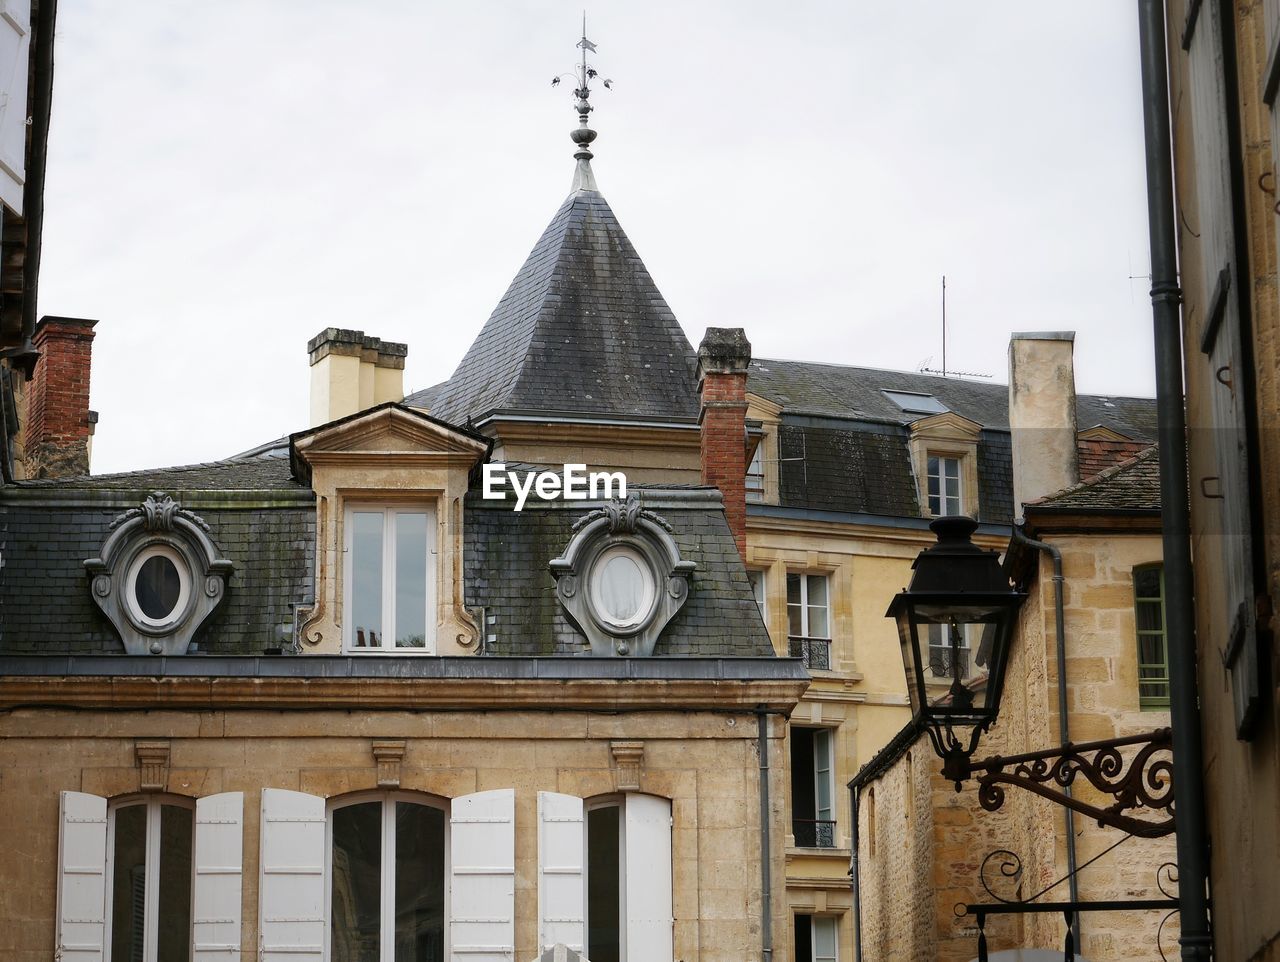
x: 217, y: 917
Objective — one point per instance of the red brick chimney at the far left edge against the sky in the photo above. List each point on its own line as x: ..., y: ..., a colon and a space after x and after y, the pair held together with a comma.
x: 60, y: 424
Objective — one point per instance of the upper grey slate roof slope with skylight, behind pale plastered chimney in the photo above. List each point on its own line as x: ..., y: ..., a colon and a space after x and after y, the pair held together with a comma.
x: 840, y: 391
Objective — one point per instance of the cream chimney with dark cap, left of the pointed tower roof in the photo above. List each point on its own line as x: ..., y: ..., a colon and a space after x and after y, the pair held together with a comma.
x: 351, y: 373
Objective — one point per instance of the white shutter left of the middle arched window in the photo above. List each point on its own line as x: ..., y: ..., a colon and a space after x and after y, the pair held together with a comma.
x: 291, y: 886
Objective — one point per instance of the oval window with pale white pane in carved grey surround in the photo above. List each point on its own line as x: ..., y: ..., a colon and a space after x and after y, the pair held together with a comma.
x: 621, y: 579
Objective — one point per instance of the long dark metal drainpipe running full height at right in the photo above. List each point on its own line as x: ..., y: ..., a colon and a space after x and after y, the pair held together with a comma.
x: 1176, y: 516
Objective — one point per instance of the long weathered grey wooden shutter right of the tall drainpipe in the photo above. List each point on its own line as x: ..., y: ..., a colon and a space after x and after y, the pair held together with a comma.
x: 1235, y: 634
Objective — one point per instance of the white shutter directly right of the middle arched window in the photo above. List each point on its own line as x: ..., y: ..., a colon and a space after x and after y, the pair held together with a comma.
x: 483, y: 877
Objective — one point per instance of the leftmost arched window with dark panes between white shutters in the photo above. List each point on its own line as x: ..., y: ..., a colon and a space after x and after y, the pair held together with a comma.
x: 149, y: 879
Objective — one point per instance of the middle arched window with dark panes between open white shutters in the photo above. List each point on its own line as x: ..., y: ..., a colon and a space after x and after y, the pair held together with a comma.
x: 387, y: 867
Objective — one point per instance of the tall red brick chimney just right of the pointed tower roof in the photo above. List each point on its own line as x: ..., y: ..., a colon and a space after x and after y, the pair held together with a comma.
x: 723, y: 361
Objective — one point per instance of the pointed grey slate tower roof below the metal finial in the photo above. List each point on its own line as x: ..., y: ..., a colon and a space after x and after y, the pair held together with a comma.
x: 583, y: 329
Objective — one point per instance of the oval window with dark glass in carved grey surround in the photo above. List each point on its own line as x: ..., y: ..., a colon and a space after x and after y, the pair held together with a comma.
x: 158, y: 578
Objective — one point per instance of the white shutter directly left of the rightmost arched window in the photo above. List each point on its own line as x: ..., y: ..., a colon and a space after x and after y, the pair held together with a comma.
x: 560, y: 871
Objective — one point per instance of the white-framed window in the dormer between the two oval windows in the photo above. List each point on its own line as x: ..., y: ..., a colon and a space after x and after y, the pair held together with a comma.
x: 390, y: 575
